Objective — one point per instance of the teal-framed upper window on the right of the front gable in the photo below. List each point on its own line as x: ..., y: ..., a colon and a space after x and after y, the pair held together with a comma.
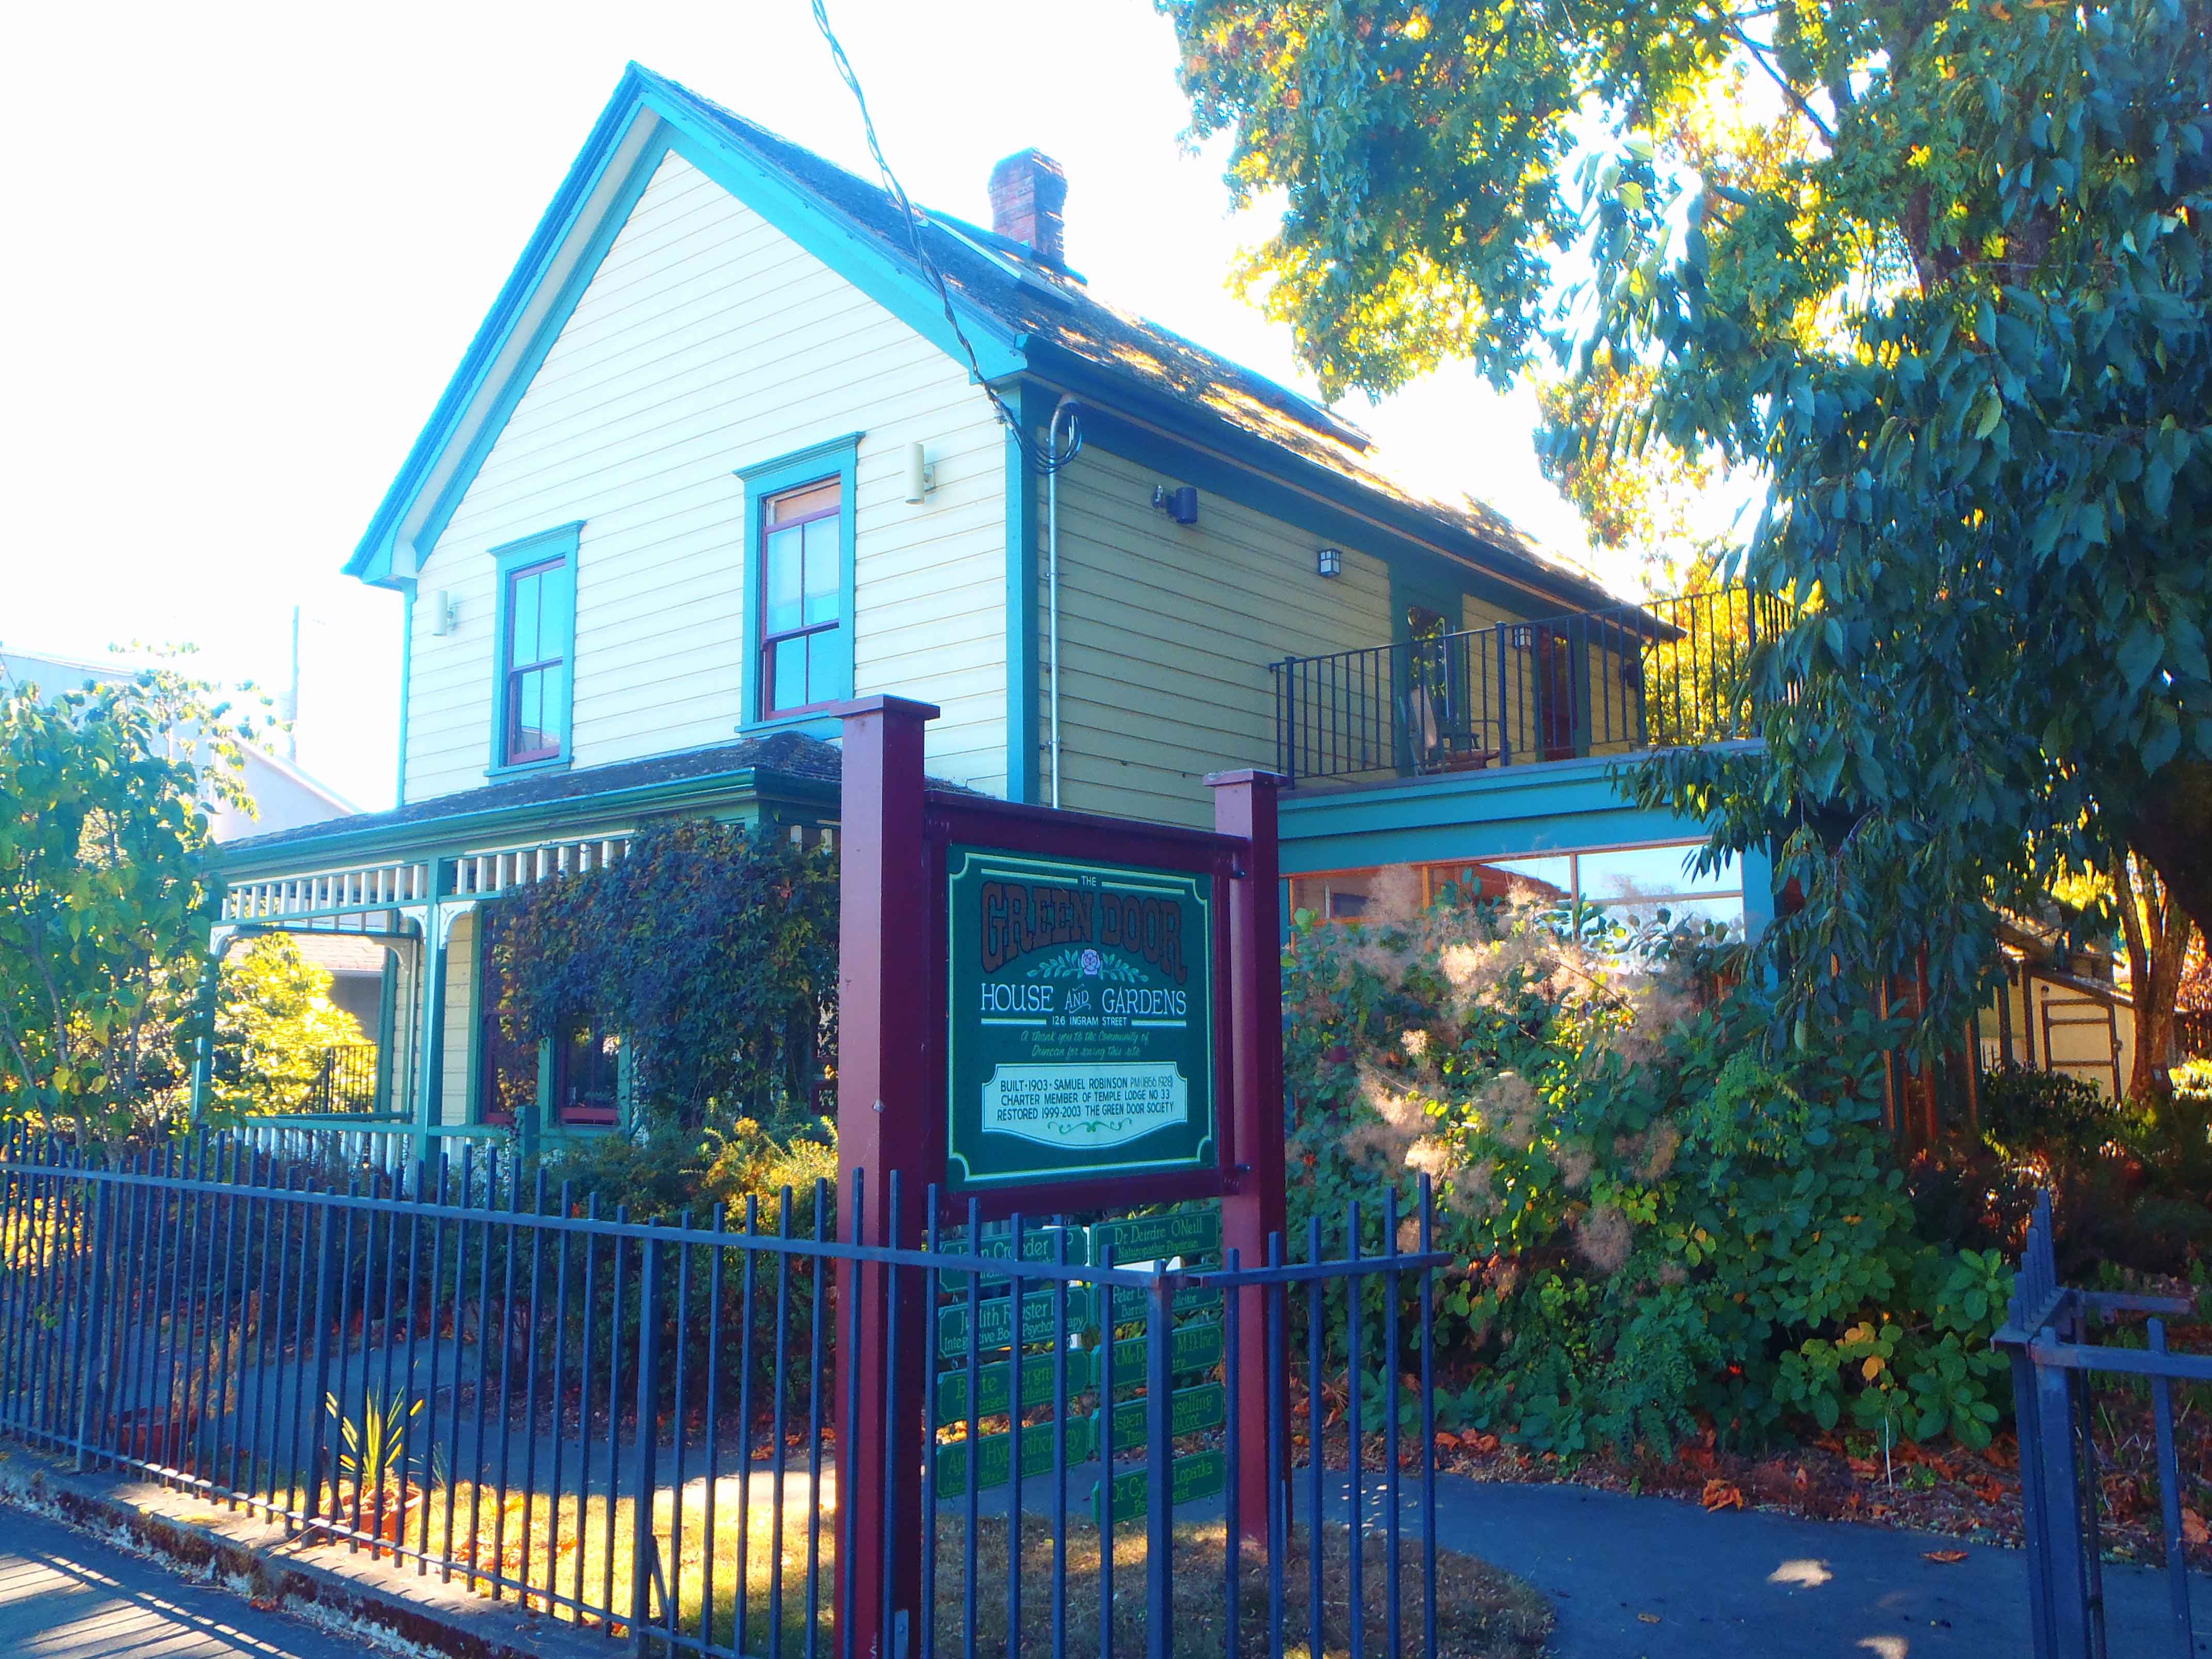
x: 800, y: 581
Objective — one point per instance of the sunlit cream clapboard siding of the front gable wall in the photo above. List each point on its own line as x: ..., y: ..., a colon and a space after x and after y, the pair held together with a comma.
x: 711, y: 342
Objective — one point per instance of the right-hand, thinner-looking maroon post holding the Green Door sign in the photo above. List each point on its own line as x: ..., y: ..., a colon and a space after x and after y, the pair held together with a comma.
x: 1255, y: 1207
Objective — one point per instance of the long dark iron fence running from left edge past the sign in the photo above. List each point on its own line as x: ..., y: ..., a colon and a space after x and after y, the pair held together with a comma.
x: 634, y: 1428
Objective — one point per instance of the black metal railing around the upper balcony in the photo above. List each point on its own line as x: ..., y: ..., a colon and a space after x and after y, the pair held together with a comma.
x: 1600, y: 682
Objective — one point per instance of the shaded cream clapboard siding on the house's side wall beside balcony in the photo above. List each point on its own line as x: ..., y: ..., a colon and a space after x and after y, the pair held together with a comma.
x: 1167, y: 634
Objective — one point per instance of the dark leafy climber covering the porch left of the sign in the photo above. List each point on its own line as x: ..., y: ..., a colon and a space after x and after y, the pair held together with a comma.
x: 711, y: 950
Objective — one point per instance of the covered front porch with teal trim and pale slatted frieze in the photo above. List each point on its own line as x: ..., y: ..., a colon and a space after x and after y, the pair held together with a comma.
x: 404, y: 910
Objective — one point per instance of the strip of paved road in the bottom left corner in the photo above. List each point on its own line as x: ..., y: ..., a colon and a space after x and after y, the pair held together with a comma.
x: 65, y: 1596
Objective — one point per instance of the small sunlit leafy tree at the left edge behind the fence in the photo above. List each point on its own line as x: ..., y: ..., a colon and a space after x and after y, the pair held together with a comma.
x: 105, y: 895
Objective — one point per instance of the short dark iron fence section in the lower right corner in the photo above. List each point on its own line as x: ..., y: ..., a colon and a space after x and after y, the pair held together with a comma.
x: 2047, y: 1335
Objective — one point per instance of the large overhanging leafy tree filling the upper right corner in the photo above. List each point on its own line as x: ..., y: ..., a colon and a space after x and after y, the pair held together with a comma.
x: 1945, y: 286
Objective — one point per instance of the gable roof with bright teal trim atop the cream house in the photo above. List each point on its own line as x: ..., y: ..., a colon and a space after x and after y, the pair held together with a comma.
x: 1021, y: 315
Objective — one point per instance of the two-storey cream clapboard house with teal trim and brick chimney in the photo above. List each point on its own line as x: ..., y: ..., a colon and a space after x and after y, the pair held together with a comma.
x: 727, y: 455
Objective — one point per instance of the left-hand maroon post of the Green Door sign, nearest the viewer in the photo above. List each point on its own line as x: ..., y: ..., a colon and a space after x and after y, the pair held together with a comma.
x: 886, y: 1114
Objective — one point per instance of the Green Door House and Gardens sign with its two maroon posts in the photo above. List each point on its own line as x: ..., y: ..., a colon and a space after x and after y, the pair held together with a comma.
x: 897, y: 1061
